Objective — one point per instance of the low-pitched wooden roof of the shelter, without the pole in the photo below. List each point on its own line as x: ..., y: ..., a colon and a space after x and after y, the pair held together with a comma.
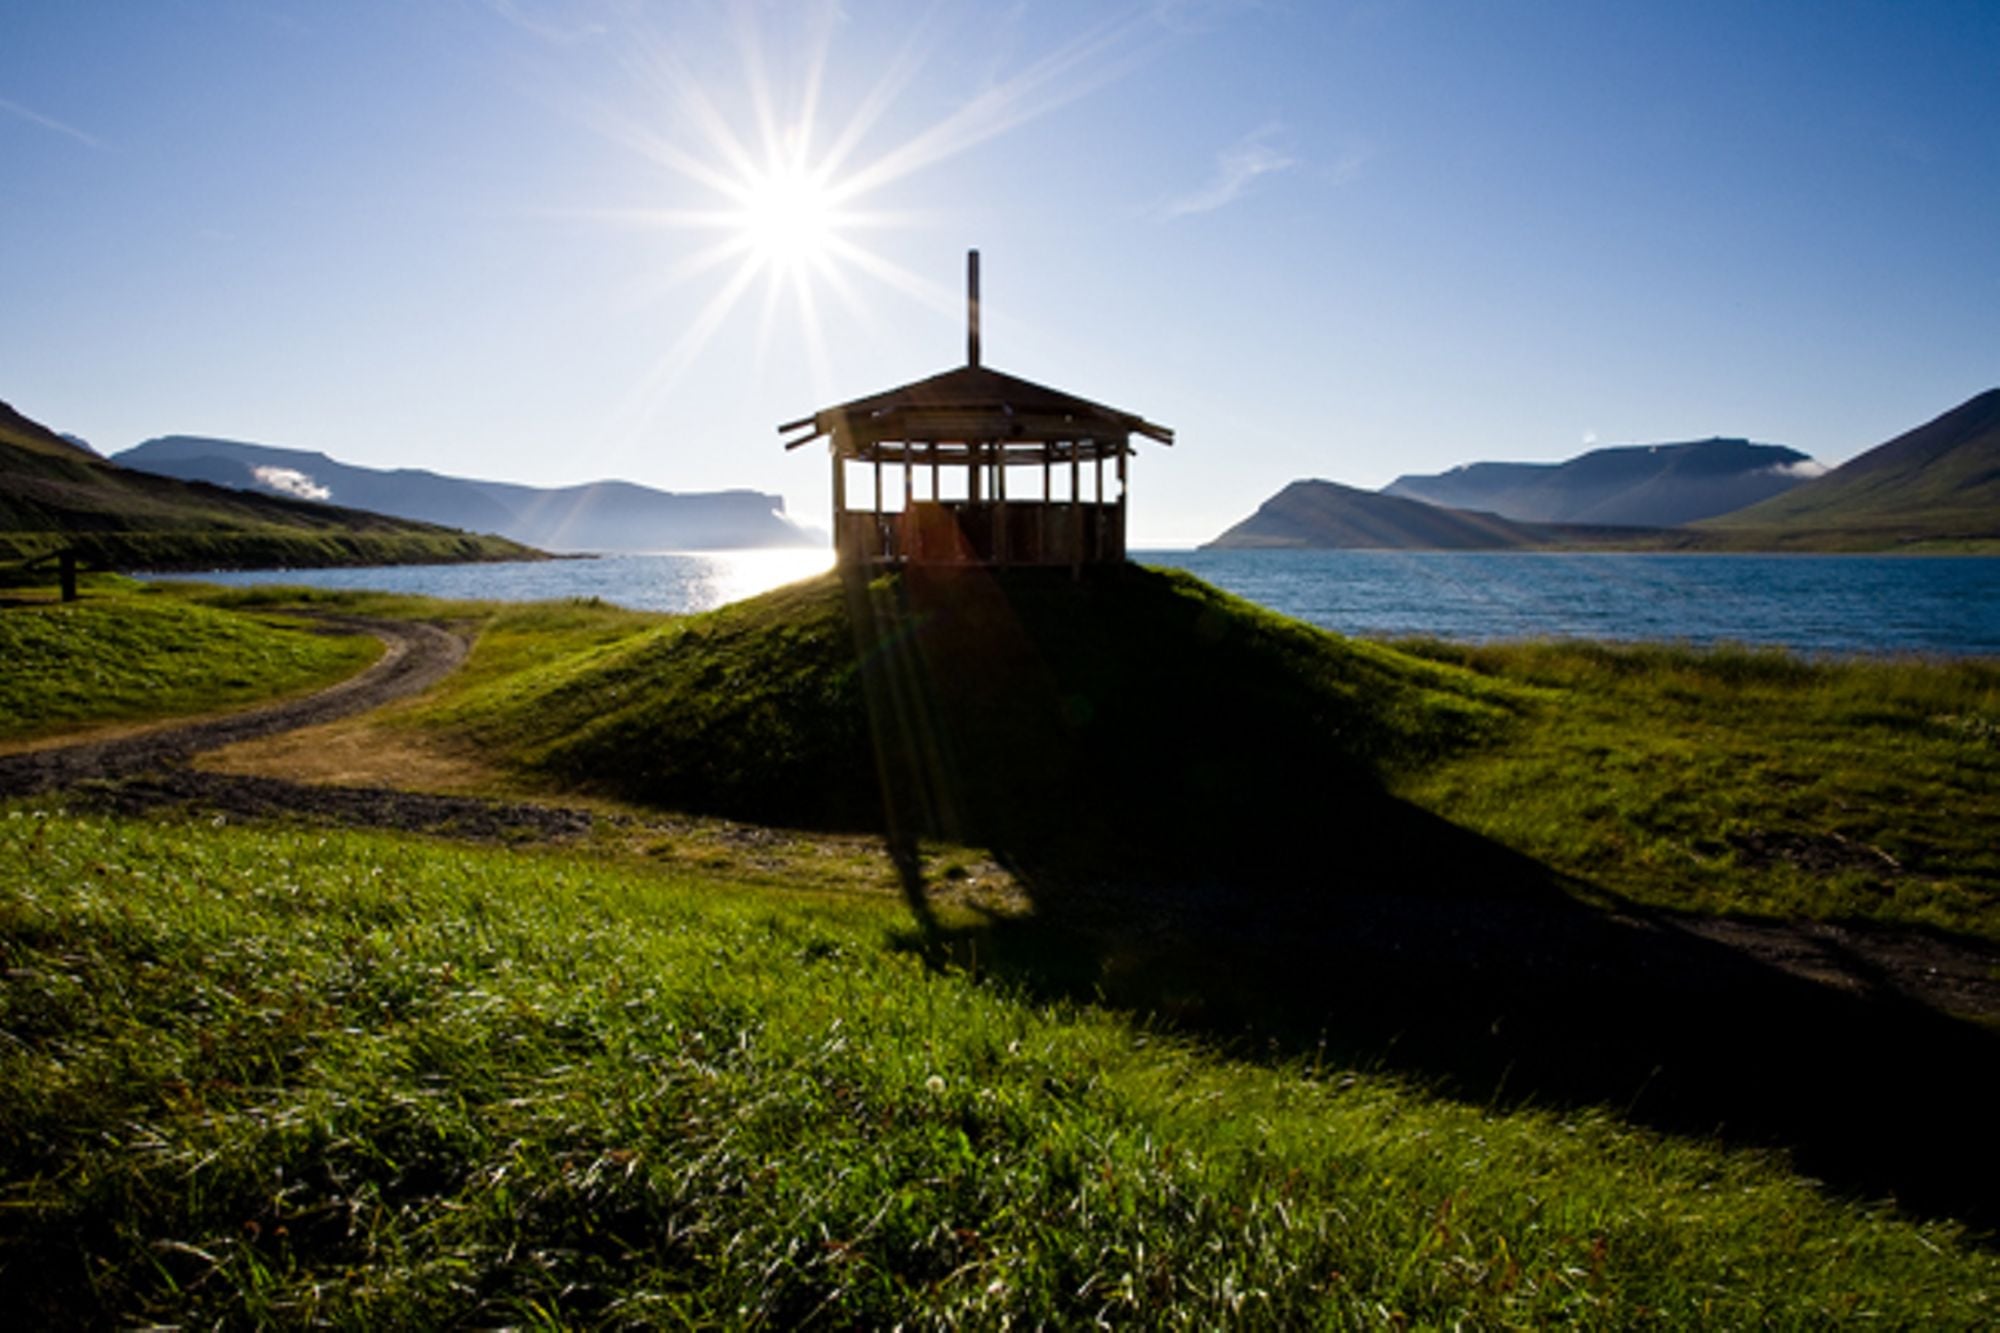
x: 973, y: 403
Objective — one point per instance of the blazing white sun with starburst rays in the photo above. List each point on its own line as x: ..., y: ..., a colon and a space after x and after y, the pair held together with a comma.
x: 795, y: 199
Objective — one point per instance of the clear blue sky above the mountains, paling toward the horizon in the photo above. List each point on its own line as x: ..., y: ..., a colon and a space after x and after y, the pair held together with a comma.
x: 1345, y: 241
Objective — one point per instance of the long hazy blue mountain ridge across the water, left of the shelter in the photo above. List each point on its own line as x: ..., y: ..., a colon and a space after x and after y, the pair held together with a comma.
x: 593, y: 517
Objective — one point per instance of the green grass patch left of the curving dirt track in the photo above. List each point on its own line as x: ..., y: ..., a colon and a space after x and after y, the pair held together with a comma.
x: 127, y: 655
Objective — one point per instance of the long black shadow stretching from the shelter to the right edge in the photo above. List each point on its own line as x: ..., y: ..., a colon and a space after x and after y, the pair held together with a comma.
x: 1245, y: 882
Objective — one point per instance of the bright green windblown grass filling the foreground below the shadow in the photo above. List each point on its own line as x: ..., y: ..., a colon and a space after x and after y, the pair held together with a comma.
x: 301, y: 1078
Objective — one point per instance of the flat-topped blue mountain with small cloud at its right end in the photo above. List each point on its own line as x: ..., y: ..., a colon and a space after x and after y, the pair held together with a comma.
x: 1633, y: 485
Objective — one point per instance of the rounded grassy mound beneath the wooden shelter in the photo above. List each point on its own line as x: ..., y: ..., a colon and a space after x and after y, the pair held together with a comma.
x: 995, y: 708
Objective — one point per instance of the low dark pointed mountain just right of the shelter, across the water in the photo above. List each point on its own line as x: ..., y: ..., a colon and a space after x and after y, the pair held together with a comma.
x: 1321, y: 513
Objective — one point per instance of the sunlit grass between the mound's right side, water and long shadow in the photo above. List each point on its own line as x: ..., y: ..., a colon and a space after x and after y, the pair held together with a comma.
x: 1741, y: 782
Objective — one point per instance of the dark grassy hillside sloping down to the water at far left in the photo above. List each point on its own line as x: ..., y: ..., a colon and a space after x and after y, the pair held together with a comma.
x: 57, y: 495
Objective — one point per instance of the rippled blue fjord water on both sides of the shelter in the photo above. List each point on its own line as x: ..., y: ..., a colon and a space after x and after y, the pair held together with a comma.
x: 1935, y: 605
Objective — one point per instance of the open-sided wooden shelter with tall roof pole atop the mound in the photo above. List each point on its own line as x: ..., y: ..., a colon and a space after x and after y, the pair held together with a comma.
x: 977, y: 467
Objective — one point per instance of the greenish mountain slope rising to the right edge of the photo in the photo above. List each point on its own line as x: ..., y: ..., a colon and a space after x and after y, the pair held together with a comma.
x: 1935, y: 485
